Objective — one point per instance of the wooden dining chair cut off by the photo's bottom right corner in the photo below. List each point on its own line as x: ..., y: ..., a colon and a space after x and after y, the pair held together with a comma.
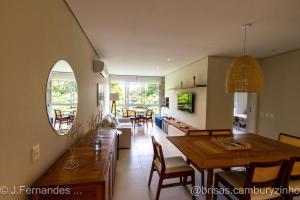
x: 292, y: 181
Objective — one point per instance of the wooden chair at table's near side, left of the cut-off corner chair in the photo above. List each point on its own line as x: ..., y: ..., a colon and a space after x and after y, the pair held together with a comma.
x: 263, y: 176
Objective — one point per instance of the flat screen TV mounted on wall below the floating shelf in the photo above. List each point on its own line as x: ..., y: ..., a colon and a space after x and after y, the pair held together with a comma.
x: 185, y: 102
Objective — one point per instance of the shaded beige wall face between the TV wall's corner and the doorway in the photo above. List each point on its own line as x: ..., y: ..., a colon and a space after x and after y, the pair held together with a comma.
x: 219, y: 103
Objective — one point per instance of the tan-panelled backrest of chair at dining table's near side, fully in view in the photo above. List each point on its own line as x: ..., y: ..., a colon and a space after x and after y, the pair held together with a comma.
x: 265, y: 174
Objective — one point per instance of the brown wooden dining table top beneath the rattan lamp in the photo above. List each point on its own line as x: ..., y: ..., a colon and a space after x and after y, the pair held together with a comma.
x: 205, y: 154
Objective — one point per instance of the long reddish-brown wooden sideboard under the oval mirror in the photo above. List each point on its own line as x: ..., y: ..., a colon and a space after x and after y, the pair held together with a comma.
x: 93, y: 179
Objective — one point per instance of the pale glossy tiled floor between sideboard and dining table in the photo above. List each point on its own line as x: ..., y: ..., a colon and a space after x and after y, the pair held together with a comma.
x: 133, y: 169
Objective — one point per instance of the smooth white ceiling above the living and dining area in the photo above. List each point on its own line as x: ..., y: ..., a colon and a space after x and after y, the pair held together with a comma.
x: 136, y: 37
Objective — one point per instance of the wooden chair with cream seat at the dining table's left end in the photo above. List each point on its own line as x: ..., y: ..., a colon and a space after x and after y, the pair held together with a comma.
x: 167, y: 168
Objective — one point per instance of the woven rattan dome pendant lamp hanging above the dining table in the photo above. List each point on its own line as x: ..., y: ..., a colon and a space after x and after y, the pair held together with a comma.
x: 244, y: 74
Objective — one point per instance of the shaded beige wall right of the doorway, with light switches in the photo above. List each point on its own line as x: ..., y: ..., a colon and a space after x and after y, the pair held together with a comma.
x: 280, y: 95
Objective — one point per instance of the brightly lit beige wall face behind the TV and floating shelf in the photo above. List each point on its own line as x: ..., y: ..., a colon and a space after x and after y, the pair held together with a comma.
x: 185, y: 74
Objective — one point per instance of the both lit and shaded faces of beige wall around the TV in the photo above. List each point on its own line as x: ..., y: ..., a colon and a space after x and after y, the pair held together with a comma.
x: 213, y: 107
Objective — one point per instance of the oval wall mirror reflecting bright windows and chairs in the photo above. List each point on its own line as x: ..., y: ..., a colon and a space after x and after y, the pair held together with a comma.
x: 62, y: 97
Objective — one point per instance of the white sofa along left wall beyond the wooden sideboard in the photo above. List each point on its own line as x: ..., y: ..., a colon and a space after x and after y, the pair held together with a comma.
x: 122, y: 124
